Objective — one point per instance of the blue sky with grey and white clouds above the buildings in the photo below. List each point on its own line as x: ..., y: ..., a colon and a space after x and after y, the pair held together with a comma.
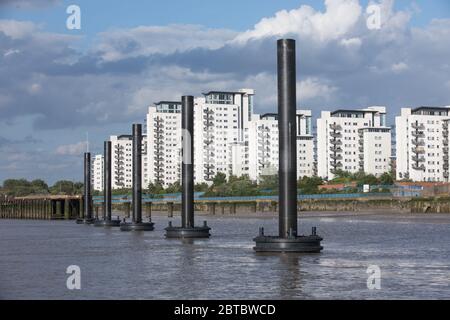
x: 58, y: 86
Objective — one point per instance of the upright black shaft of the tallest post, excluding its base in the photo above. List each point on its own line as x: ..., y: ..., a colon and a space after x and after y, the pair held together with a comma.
x: 287, y: 105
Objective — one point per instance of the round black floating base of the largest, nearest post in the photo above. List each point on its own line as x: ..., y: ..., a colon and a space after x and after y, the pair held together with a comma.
x: 301, y: 244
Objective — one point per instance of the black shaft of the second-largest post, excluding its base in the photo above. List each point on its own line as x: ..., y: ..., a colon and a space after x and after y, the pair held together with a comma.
x: 187, y: 126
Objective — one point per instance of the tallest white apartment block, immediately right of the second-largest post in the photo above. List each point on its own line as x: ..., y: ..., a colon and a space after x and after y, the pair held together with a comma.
x: 221, y: 120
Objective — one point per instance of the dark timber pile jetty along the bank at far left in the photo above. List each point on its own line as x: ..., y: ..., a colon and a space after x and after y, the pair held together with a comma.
x: 40, y: 209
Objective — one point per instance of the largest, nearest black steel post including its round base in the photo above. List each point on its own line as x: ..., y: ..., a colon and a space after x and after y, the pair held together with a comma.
x: 287, y: 240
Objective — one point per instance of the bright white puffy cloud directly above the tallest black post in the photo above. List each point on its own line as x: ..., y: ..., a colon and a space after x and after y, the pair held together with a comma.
x: 338, y: 19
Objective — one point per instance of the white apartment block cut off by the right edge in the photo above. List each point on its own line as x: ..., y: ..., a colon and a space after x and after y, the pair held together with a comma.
x: 422, y: 144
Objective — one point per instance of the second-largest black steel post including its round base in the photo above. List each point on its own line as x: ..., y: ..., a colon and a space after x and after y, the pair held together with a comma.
x: 187, y: 230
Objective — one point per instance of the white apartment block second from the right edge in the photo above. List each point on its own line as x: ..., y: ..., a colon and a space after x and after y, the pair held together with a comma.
x: 353, y: 140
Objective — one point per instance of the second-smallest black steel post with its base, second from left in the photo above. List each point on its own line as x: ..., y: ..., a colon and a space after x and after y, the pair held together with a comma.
x: 107, y: 199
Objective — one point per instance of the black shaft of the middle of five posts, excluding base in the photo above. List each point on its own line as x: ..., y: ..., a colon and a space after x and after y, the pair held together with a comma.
x: 137, y: 173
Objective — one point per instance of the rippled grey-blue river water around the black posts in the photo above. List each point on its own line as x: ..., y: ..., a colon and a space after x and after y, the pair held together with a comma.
x: 412, y: 252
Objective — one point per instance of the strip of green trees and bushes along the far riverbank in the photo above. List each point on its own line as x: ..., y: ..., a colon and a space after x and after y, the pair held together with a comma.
x: 221, y: 186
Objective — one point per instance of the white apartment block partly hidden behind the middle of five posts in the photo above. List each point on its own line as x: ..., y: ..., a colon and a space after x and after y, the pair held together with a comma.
x: 122, y: 162
